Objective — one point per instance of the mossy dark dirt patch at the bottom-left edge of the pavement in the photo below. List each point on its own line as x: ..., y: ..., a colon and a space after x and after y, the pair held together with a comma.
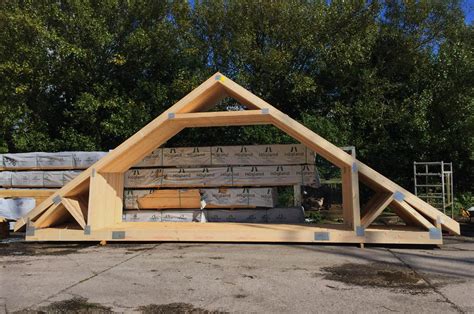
x: 74, y: 305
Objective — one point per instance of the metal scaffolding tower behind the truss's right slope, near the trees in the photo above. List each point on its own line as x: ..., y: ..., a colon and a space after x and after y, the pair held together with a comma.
x: 434, y: 184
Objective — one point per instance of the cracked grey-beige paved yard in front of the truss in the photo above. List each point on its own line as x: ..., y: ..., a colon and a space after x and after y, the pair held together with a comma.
x: 202, y: 277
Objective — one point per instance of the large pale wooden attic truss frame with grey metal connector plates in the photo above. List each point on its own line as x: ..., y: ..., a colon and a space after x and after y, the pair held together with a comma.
x: 95, y: 197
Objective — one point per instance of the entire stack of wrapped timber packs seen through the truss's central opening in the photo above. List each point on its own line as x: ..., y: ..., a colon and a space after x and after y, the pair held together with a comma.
x: 225, y: 183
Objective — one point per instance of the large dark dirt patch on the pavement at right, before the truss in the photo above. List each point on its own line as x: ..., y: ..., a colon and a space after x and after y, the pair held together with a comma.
x: 383, y: 275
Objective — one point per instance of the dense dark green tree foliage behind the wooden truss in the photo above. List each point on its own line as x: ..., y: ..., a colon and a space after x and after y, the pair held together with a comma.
x: 393, y: 78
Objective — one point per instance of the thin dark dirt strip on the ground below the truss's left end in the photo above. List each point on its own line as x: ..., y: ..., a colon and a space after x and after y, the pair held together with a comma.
x: 29, y: 249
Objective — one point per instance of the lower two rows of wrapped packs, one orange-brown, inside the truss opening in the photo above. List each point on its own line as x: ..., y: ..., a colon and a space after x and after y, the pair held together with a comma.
x: 243, y: 205
